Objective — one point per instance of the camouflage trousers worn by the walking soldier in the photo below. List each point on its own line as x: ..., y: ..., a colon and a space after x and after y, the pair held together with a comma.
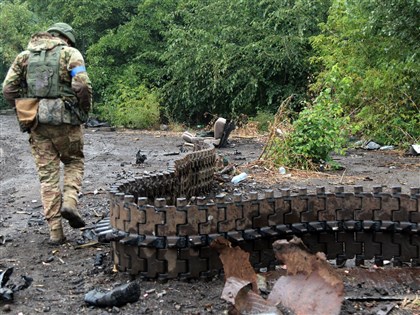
x: 51, y: 145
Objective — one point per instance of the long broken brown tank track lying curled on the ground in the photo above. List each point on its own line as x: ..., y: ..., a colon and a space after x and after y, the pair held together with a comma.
x: 158, y: 235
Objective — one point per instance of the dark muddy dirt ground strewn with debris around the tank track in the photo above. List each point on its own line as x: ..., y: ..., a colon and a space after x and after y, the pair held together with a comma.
x: 63, y: 275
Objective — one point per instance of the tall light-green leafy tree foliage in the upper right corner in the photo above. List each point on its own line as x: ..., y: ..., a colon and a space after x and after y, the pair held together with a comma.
x: 375, y: 46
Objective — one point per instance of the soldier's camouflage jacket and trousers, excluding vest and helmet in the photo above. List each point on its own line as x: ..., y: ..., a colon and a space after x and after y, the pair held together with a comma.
x: 51, y: 144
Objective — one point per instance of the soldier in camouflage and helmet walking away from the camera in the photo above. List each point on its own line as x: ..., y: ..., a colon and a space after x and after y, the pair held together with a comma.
x: 53, y: 72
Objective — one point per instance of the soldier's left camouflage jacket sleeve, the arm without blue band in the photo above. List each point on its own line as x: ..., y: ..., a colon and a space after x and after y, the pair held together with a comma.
x: 14, y: 85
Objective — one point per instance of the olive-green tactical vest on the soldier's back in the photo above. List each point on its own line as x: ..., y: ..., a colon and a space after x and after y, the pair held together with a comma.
x: 43, y: 77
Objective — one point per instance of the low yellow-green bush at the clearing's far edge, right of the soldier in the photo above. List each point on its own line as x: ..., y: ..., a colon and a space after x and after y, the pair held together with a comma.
x: 136, y: 107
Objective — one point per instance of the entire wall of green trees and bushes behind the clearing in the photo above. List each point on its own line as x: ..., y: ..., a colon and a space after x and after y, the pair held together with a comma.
x: 345, y: 67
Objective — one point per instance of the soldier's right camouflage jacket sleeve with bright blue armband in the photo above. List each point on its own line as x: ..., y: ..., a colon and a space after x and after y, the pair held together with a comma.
x: 80, y: 82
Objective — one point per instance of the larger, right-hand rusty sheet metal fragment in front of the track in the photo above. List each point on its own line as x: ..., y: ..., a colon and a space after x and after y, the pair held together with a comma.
x: 311, y: 286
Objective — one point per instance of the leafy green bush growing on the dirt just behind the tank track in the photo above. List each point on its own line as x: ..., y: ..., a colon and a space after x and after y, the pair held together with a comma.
x: 320, y: 129
